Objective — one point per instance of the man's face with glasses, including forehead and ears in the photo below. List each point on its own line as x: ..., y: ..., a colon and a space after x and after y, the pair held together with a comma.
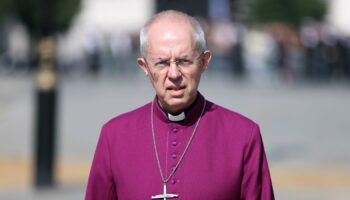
x: 173, y: 65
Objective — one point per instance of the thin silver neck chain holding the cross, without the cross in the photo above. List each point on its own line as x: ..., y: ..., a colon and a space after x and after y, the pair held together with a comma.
x: 166, y: 180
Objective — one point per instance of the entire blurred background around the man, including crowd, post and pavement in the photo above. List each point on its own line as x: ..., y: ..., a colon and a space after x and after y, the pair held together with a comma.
x: 68, y: 66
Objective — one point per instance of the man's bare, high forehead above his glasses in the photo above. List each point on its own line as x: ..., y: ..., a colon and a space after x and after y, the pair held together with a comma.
x: 168, y: 36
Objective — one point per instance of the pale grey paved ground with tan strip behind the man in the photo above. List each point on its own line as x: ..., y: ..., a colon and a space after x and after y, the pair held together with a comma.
x: 305, y: 129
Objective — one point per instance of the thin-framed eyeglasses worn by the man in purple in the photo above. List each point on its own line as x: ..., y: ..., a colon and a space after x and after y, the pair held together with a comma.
x: 182, y: 63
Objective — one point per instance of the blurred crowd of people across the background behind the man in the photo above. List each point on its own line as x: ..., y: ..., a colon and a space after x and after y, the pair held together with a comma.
x: 315, y: 51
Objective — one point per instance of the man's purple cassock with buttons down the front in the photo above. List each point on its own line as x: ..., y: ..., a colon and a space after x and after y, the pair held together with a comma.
x: 225, y: 161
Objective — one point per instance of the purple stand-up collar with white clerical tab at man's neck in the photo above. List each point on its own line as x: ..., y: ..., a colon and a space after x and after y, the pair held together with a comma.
x: 190, y: 115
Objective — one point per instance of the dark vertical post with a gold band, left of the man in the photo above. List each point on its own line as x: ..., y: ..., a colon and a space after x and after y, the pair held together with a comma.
x: 46, y: 116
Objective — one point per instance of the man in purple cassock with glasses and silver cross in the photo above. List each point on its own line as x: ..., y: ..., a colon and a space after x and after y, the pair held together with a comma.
x: 179, y: 146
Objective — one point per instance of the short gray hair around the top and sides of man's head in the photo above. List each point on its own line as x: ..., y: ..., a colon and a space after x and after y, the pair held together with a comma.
x: 198, y: 30
